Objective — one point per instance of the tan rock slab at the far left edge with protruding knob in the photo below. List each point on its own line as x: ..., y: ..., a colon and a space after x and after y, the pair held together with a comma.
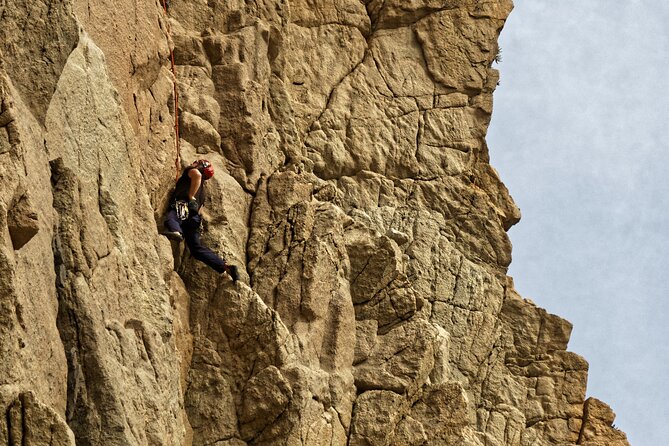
x: 32, y: 353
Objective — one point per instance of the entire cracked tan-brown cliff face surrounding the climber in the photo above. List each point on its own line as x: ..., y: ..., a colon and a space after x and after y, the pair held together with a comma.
x: 353, y: 188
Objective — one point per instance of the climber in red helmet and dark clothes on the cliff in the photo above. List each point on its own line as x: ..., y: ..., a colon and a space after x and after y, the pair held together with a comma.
x: 183, y: 219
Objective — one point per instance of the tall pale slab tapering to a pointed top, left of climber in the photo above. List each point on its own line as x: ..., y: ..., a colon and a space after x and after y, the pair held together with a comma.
x: 118, y: 362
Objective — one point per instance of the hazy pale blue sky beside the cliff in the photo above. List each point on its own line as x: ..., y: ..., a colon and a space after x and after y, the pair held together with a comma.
x: 579, y: 136
